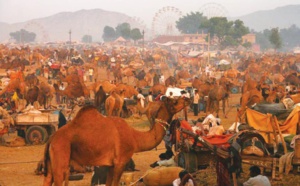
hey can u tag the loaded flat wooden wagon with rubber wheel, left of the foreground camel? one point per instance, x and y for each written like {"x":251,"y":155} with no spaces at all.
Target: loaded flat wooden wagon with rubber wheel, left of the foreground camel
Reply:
{"x":36,"y":127}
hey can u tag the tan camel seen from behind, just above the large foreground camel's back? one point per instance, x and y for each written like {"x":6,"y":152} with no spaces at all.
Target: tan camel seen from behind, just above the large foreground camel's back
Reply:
{"x":114,"y":103}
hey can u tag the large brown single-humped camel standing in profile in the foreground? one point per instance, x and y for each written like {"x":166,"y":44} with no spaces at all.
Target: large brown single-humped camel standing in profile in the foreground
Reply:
{"x":103,"y":141}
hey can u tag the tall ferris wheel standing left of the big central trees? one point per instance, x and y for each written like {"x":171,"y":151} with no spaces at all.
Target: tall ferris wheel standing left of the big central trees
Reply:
{"x":164,"y":21}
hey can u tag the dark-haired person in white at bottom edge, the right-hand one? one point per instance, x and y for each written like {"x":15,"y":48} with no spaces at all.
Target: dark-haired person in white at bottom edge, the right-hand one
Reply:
{"x":256,"y":179}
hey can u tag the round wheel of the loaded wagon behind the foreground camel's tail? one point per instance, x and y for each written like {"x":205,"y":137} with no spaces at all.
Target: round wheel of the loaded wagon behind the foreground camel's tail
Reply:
{"x":36,"y":135}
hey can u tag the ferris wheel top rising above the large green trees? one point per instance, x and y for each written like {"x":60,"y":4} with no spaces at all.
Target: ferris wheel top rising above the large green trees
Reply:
{"x":210,"y":10}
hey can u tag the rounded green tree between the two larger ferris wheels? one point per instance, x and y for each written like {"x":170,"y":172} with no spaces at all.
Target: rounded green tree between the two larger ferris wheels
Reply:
{"x":190,"y":23}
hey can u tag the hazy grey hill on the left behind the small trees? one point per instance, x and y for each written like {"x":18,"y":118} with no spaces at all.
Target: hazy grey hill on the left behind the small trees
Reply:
{"x":57,"y":27}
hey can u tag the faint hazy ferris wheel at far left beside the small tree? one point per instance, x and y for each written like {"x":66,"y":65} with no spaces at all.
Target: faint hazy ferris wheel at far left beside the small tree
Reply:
{"x":38,"y":29}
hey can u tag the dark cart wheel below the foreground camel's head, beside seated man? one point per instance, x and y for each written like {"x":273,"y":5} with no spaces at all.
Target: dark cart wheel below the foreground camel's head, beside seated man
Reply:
{"x":188,"y":161}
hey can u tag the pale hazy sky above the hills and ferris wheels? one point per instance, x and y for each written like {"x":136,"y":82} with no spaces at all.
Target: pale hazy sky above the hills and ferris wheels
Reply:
{"x":13,"y":11}
